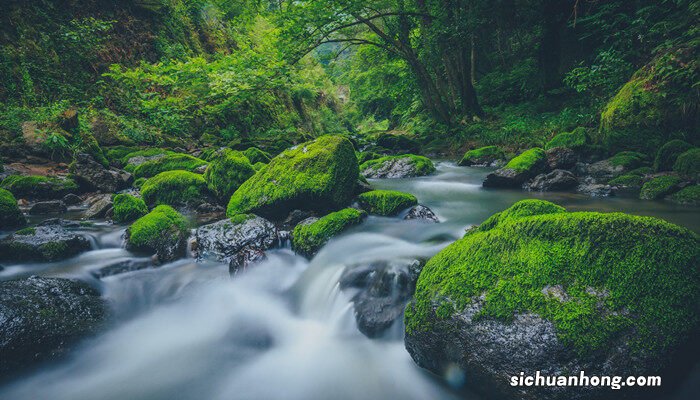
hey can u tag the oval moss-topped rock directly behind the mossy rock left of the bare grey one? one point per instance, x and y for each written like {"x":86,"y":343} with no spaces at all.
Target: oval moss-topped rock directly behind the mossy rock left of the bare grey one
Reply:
{"x":175,"y":188}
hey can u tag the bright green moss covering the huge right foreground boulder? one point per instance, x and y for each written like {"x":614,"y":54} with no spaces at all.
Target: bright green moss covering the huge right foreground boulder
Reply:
{"x":624,"y":276}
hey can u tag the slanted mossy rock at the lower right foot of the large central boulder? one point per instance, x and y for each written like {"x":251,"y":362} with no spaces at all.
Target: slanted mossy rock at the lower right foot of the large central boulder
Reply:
{"x":307,"y":239}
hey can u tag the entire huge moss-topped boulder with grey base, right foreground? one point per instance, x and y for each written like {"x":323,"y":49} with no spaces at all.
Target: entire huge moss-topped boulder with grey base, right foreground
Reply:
{"x":537,"y":288}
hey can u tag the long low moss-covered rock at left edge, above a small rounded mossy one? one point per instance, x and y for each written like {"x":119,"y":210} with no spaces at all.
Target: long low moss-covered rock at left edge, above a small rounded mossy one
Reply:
{"x":38,"y":187}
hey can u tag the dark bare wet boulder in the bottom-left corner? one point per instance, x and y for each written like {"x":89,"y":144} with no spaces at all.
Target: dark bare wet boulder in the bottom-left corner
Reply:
{"x":43,"y":318}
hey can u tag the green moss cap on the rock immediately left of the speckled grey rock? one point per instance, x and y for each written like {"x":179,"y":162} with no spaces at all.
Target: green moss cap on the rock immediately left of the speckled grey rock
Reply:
{"x":149,"y":231}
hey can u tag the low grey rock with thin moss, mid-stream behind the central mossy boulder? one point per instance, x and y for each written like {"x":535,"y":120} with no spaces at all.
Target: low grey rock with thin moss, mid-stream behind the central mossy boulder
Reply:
{"x":405,"y":166}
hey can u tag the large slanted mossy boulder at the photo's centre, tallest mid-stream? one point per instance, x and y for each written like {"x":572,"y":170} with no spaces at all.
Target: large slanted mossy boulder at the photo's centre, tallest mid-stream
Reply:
{"x":317,"y":175}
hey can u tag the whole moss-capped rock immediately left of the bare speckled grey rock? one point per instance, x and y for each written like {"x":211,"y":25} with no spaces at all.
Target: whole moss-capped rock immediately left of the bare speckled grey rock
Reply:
{"x":163,"y":231}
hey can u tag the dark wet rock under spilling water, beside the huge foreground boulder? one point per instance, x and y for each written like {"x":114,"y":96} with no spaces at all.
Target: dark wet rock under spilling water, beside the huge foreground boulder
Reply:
{"x":383,"y":289}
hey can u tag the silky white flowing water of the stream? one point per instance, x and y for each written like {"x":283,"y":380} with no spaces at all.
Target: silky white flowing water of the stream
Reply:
{"x":281,"y":330}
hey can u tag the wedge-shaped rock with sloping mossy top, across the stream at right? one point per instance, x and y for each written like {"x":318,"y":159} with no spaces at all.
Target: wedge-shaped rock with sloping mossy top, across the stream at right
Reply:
{"x":518,"y":170}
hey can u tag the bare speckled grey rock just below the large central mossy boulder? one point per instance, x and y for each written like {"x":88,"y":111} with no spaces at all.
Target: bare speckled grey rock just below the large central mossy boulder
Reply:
{"x":239,"y":240}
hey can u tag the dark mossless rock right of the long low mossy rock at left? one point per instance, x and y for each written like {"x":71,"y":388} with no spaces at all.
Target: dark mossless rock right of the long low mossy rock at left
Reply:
{"x":93,"y":176}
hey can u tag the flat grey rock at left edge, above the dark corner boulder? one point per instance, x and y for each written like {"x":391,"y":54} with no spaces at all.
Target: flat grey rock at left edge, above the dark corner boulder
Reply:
{"x":49,"y":241}
